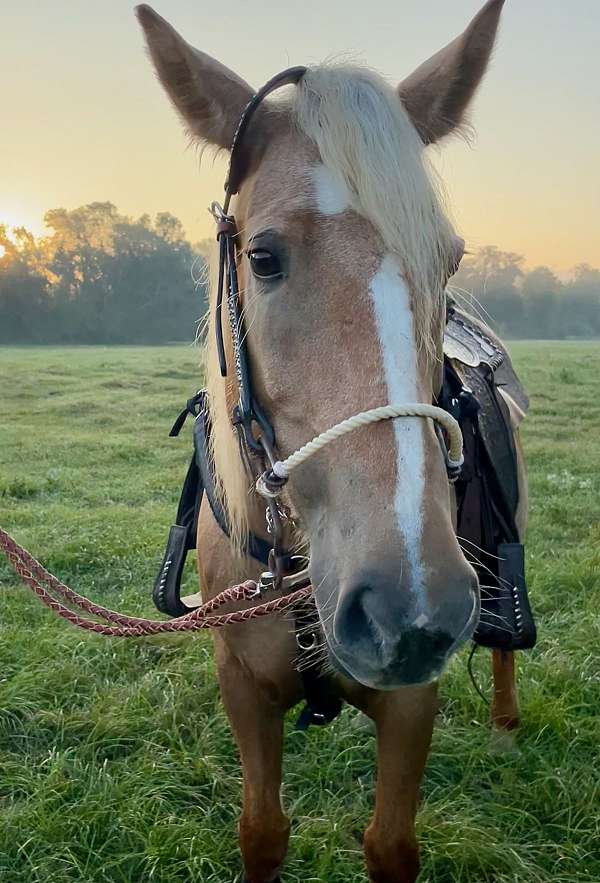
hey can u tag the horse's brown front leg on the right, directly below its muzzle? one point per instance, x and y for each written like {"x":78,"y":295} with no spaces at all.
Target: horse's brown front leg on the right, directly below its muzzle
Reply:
{"x":404,"y":722}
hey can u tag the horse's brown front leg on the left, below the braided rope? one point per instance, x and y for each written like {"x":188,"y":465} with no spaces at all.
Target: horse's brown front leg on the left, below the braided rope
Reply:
{"x":257,"y":725}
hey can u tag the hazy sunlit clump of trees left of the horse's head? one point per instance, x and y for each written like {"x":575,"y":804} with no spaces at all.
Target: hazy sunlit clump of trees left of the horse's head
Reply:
{"x":100,"y":277}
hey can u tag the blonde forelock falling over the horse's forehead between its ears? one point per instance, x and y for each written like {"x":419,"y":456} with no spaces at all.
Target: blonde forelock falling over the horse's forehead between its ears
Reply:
{"x":366,"y":138}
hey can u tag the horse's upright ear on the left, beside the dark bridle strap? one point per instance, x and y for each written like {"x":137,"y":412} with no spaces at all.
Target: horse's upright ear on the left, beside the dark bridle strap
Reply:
{"x":208,"y":96}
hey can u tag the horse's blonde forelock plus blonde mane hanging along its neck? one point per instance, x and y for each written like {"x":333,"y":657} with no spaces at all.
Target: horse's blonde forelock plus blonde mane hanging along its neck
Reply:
{"x":364,"y":137}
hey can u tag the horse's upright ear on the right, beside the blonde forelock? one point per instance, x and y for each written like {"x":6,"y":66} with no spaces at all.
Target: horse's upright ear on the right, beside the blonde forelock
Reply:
{"x":437,"y":94}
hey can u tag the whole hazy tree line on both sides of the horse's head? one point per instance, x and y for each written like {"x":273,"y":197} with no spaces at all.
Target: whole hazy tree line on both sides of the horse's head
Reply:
{"x":100,"y":277}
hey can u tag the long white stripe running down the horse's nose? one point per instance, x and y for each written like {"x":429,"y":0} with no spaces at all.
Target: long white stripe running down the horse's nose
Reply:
{"x":391,"y":306}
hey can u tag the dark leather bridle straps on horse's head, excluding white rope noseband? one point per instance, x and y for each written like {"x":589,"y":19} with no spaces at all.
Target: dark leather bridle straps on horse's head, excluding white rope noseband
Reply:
{"x":255,"y":432}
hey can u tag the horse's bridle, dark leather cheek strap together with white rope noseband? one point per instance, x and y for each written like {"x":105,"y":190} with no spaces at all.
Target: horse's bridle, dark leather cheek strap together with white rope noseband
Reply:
{"x":255,"y":432}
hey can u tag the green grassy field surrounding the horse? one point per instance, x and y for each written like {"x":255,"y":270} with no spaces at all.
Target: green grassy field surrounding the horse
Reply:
{"x":116,"y":763}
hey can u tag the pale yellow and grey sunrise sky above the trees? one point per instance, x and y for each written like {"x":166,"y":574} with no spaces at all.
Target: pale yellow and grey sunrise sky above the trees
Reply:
{"x":85,"y":120}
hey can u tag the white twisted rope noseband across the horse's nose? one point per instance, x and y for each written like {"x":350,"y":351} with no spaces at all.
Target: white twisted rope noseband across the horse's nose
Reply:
{"x":281,"y":468}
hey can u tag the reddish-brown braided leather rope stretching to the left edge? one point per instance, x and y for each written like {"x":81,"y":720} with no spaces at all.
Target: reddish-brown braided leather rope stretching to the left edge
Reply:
{"x":33,"y":575}
